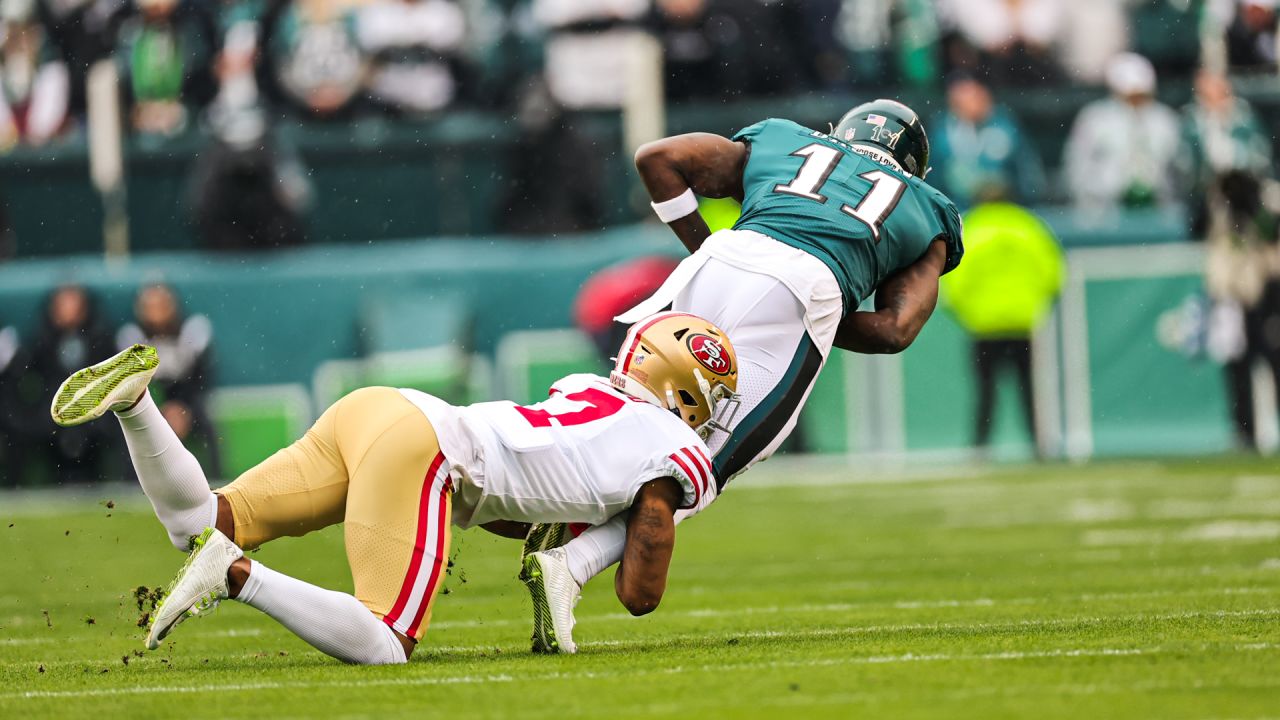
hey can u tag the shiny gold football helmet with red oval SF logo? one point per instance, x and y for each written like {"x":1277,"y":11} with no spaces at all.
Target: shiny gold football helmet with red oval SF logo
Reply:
{"x":684,"y":364}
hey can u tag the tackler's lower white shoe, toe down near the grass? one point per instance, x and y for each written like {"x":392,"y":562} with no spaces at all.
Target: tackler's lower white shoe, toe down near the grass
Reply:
{"x":200,"y":586}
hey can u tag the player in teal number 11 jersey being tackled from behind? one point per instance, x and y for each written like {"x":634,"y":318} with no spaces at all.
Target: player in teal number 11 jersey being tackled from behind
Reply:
{"x":829,"y":220}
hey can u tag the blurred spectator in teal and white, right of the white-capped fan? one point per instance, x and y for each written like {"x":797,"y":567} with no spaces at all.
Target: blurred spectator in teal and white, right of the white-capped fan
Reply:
{"x":1222,"y":135}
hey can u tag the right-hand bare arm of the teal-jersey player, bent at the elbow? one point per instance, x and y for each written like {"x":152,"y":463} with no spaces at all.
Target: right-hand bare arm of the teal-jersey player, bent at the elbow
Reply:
{"x":904,"y":303}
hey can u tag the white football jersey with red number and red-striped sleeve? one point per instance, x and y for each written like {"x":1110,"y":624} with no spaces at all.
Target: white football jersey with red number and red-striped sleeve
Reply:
{"x":579,"y":457}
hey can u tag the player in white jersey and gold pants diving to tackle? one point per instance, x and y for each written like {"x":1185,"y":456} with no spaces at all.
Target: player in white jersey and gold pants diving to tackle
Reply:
{"x":394,"y":466}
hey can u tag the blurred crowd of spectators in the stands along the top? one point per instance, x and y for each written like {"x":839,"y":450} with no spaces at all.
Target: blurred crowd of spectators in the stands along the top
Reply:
{"x":231,"y":71}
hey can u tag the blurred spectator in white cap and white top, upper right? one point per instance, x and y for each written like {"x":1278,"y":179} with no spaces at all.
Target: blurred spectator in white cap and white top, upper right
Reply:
{"x":1123,"y":151}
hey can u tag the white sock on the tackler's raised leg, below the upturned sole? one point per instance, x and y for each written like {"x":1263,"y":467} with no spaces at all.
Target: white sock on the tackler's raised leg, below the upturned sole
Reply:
{"x":170,"y":475}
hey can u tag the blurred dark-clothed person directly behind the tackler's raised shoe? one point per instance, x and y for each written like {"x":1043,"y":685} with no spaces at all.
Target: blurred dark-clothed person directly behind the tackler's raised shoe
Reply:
{"x":71,"y":339}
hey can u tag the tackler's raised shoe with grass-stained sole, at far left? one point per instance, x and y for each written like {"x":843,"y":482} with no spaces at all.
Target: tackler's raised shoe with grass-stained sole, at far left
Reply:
{"x":115,"y":384}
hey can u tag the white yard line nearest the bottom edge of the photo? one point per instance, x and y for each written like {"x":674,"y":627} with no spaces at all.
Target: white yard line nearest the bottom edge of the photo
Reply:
{"x":630,"y":673}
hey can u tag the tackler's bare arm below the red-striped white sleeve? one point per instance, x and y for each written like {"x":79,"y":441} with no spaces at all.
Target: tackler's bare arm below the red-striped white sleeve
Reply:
{"x":642,"y":577}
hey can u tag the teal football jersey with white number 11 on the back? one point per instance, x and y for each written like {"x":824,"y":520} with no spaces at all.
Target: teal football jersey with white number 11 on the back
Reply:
{"x":842,"y":203}
